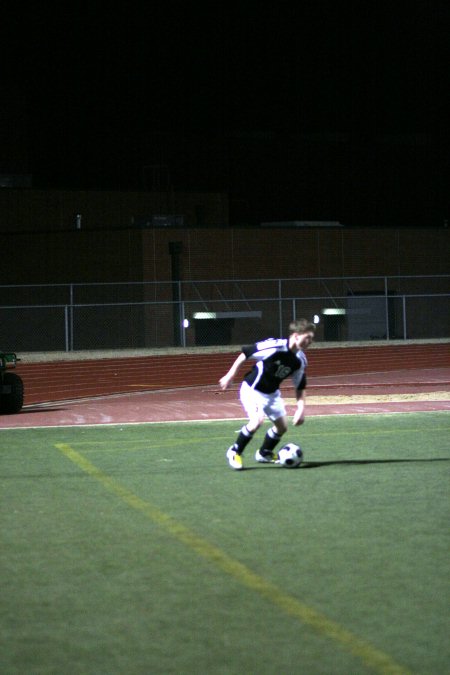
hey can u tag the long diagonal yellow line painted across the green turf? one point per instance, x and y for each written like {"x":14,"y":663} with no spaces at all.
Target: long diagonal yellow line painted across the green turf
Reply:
{"x":372,"y":657}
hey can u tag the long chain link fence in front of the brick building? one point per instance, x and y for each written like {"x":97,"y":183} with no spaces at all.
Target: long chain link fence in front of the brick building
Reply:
{"x":69,"y":317}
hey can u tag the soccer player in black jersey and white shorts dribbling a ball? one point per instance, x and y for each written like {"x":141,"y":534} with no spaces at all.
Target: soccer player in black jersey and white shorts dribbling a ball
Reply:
{"x":276,"y":359}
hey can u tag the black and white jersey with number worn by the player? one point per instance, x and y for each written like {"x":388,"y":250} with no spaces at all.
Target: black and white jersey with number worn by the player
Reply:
{"x":274,"y":363}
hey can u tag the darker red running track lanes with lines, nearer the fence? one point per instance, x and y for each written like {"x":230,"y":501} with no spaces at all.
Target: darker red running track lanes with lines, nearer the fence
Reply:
{"x":86,"y":377}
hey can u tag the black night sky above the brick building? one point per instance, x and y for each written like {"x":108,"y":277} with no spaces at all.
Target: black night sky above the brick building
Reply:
{"x":308,"y":109}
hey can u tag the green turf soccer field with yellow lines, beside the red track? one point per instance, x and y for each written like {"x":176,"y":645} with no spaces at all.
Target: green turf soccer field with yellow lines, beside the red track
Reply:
{"x":136,"y":550}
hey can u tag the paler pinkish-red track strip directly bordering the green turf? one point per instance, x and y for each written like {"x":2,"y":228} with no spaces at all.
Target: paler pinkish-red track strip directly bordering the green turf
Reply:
{"x":408,"y":390}
